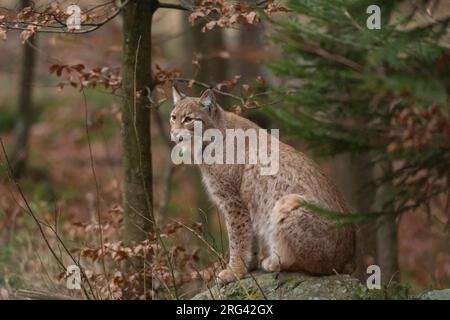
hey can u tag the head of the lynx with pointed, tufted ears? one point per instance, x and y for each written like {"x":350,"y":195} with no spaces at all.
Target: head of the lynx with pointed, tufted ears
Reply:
{"x":188,"y":110}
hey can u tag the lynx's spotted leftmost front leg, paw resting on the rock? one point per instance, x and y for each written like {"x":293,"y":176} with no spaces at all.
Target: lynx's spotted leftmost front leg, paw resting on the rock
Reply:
{"x":240,"y":235}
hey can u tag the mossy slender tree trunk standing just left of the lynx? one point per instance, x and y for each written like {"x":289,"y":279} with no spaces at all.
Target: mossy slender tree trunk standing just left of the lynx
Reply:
{"x":137,"y":161}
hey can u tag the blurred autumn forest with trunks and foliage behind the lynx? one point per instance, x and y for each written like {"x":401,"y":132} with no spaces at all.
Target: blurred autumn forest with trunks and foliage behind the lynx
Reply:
{"x":371,"y":106}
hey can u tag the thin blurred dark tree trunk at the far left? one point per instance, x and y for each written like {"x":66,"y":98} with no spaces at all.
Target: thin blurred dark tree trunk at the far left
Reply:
{"x":25,"y":109}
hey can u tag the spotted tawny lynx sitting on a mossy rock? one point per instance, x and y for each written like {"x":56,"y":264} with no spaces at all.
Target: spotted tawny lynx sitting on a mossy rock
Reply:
{"x":266,"y":211}
